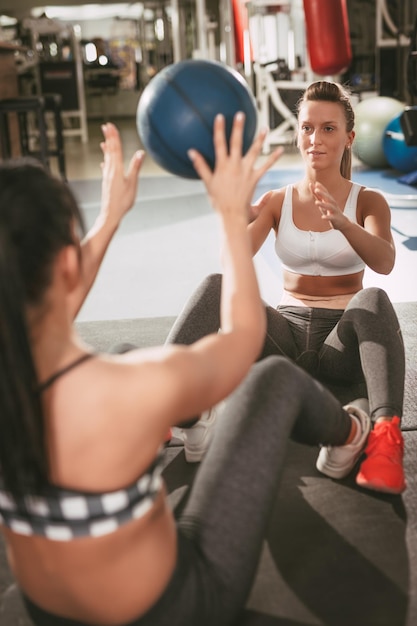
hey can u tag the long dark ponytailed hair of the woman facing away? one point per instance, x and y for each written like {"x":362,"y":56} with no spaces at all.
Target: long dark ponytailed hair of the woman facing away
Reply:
{"x":38,"y":217}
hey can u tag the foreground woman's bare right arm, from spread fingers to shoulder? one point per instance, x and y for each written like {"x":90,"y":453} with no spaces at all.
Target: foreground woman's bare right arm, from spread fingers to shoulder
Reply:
{"x":198,"y":376}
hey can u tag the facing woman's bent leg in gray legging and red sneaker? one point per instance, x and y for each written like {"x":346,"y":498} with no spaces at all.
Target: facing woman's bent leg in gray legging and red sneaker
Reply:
{"x":368,"y":339}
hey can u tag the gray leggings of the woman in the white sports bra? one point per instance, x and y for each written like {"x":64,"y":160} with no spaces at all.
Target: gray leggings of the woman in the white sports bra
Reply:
{"x":356,"y":352}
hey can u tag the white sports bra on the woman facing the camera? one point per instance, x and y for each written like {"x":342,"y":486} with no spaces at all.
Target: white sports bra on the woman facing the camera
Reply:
{"x":313,"y":253}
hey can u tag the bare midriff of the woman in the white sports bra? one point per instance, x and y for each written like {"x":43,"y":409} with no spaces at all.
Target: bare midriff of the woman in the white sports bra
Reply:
{"x":329,"y":292}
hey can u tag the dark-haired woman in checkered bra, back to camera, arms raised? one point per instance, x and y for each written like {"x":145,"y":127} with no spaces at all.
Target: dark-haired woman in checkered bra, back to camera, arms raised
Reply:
{"x":91,"y":538}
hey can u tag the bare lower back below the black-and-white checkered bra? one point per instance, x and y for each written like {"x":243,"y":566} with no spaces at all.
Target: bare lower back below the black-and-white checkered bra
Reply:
{"x":109,"y":580}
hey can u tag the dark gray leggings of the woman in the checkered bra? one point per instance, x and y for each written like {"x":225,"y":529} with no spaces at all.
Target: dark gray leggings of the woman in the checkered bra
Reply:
{"x":221,"y":530}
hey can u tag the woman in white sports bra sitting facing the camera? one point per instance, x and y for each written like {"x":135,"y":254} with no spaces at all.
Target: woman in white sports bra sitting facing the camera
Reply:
{"x":328,"y":229}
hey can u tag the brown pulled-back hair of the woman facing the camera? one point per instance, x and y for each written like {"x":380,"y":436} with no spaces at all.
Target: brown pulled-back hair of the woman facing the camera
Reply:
{"x":326,"y":91}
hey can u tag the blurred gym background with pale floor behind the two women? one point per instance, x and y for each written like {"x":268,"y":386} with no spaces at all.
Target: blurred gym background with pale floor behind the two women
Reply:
{"x":67,"y":68}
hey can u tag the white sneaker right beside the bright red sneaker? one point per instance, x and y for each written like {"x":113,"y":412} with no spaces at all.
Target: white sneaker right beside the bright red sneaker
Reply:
{"x":338,"y":461}
